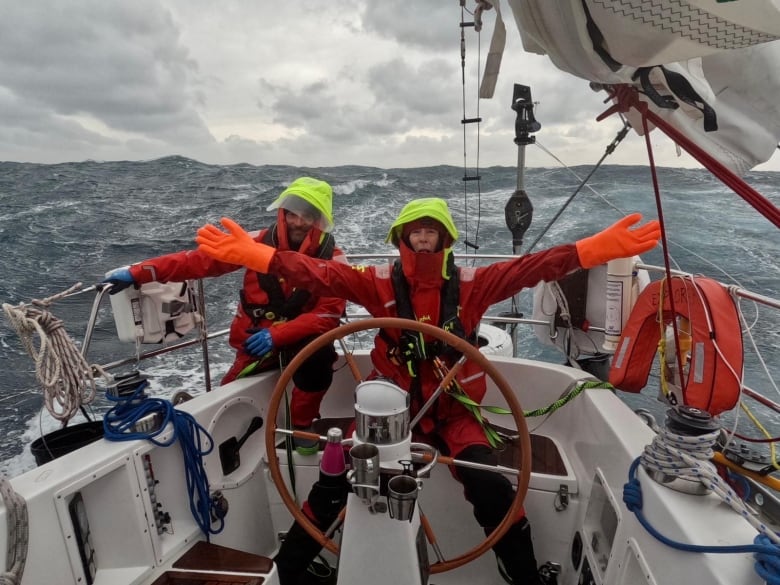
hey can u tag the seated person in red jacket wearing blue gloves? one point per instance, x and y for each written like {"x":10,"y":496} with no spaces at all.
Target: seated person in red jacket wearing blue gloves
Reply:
{"x":273,"y":316}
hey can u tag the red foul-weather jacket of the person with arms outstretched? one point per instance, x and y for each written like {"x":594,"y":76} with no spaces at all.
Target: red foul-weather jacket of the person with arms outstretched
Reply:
{"x":372,"y":287}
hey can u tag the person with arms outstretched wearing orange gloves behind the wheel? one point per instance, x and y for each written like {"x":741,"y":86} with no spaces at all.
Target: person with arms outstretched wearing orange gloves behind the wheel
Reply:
{"x":424,"y":284}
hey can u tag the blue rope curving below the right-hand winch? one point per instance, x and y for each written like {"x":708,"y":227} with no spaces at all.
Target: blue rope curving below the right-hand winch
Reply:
{"x":767,"y":553}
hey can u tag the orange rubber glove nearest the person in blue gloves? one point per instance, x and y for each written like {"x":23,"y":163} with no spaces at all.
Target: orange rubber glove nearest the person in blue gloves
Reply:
{"x":235,"y":247}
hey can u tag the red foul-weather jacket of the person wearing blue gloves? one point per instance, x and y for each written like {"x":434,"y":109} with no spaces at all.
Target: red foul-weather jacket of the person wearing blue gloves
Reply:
{"x":319,"y":314}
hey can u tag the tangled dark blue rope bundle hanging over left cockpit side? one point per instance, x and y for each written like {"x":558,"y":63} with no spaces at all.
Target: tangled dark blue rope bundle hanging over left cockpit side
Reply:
{"x":118,"y":424}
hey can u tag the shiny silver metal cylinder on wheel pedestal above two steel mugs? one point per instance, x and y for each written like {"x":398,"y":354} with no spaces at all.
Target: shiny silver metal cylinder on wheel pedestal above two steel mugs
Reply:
{"x":381,"y":413}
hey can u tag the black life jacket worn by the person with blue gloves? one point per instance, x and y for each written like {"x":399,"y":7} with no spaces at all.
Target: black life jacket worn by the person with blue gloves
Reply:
{"x":279,"y":307}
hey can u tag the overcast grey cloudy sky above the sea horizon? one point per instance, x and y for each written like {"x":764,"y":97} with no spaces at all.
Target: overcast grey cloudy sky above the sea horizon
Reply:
{"x":307,"y":82}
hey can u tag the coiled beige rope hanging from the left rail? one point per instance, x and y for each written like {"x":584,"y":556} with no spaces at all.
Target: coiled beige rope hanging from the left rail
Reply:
{"x":65,"y":376}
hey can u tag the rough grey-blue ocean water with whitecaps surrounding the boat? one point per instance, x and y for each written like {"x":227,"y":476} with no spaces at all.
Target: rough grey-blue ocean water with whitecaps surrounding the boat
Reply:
{"x":68,"y":223}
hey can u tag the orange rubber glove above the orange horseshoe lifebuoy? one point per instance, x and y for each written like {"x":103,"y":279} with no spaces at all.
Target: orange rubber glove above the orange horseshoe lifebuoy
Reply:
{"x":617,"y":241}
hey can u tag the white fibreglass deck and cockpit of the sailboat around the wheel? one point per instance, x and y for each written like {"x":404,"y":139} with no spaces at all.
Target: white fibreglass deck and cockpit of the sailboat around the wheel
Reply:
{"x":596,"y":436}
